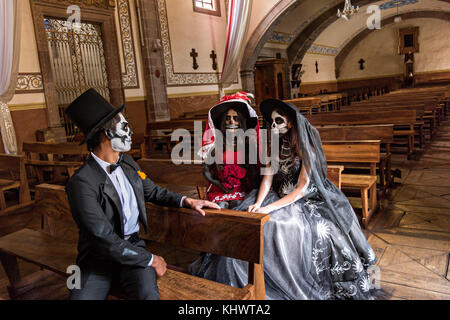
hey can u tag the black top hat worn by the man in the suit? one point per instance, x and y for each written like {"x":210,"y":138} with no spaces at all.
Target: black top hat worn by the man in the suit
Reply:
{"x":90,"y":112}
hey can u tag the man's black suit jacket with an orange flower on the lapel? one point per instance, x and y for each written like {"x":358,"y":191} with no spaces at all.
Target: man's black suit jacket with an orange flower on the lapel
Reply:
{"x":96,"y":208}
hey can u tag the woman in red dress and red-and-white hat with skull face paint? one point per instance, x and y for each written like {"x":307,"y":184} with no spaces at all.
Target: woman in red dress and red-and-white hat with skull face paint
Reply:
{"x":227,"y":165}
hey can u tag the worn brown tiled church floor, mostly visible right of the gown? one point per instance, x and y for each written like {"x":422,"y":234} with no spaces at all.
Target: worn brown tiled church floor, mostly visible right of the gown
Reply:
{"x":410,"y":234}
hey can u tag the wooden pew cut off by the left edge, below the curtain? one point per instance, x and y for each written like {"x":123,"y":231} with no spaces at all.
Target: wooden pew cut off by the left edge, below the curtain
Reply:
{"x":14,"y":176}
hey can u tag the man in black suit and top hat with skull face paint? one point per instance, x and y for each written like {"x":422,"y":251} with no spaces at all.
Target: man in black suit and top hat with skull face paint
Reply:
{"x":107,"y":198}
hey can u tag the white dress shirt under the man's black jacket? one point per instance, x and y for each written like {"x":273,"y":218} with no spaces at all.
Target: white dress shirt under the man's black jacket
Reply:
{"x":127,"y":197}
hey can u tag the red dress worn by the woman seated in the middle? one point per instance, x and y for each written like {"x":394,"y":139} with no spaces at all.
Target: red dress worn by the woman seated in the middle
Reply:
{"x":232,"y":176}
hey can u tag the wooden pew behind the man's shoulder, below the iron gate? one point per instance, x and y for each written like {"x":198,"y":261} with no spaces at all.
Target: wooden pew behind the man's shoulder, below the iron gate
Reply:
{"x":63,"y":157}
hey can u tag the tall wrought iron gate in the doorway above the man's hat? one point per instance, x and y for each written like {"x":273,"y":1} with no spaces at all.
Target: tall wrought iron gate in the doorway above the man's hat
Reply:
{"x":78,"y":63}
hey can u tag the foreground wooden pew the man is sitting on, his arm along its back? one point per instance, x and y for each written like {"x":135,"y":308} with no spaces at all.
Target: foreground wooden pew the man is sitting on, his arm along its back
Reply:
{"x":235,"y":235}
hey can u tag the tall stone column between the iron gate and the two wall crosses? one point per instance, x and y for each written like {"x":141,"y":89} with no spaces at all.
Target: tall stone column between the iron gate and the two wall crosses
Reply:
{"x":153,"y":61}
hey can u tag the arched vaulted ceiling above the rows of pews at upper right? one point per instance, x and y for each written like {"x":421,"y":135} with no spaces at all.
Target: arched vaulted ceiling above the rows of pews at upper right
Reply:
{"x":313,"y":25}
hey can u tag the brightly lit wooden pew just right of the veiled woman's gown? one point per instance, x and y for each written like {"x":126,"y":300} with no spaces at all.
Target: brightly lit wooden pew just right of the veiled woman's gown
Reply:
{"x":367,"y":152}
